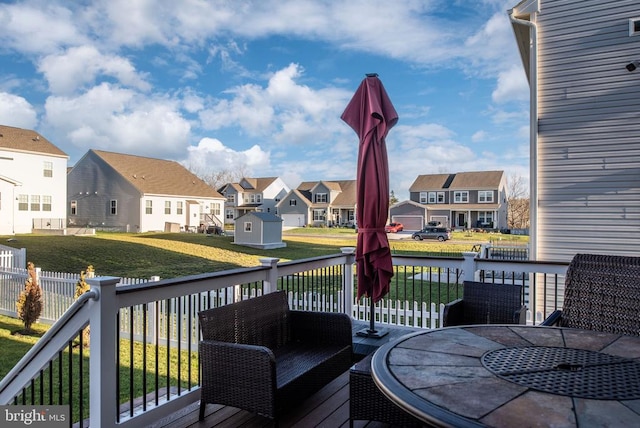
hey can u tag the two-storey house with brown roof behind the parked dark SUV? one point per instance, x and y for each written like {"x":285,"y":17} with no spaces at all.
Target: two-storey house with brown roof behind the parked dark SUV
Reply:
{"x":461,"y":200}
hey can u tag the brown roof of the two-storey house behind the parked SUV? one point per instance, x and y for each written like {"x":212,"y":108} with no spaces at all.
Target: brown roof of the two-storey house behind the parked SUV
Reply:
{"x":460,"y":180}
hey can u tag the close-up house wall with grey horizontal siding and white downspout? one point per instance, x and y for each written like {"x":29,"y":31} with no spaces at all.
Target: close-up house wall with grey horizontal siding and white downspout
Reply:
{"x":579,"y":58}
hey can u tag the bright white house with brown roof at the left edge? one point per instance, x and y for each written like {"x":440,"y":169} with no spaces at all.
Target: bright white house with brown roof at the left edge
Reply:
{"x":33,"y":182}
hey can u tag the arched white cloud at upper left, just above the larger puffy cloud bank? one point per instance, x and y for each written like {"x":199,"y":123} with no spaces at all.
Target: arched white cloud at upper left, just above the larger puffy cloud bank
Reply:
{"x":80,"y":66}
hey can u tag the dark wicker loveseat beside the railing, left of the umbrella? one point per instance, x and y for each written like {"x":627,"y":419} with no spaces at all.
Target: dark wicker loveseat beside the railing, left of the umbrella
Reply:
{"x":260,"y":356}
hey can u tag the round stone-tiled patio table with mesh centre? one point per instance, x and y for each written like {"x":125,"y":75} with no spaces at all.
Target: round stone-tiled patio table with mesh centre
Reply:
{"x":506,"y":376}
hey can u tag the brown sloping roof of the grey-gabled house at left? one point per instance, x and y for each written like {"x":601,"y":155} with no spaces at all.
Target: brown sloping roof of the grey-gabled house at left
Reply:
{"x":157,"y":176}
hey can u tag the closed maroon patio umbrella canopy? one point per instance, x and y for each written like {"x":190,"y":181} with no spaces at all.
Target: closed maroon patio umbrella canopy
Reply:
{"x":371,"y":114}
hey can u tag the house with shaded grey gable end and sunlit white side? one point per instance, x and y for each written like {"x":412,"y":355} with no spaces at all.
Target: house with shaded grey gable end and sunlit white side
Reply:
{"x":129,"y":193}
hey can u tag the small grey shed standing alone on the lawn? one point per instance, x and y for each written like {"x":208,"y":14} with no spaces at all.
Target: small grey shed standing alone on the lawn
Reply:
{"x":259,"y":230}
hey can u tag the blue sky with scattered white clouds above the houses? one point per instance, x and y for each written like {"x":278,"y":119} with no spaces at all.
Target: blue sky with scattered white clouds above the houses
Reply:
{"x":262,"y":84}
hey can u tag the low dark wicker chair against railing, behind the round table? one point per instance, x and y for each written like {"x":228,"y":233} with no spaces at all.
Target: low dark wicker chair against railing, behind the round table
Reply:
{"x":485,"y":303}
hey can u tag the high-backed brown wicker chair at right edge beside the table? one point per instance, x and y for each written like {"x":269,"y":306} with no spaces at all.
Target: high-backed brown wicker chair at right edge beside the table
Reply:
{"x":602,"y":293}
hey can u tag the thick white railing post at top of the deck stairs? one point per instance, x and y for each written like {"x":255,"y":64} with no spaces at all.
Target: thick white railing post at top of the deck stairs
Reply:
{"x":103,"y":403}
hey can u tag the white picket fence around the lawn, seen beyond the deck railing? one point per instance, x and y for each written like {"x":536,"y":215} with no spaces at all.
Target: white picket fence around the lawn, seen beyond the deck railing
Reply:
{"x":158,"y":322}
